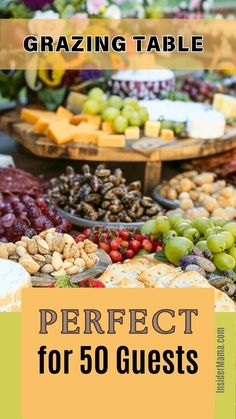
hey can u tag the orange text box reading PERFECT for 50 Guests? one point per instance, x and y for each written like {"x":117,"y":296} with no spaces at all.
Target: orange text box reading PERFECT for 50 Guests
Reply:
{"x":114,"y":393}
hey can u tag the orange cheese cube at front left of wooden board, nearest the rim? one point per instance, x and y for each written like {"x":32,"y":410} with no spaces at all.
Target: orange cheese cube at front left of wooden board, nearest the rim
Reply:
{"x":61,"y":132}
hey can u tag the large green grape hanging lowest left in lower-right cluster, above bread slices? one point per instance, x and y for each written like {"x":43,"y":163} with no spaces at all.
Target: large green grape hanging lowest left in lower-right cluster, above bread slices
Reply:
{"x":177,"y":247}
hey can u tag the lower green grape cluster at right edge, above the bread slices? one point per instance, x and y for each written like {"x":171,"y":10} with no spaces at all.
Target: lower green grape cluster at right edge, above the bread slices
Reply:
{"x":213,"y":235}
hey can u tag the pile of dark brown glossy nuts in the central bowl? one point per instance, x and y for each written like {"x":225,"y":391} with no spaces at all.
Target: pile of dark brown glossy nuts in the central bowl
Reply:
{"x":102,"y":196}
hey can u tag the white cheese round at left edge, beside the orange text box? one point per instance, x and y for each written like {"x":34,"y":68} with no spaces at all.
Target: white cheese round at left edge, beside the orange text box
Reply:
{"x":13,"y":278}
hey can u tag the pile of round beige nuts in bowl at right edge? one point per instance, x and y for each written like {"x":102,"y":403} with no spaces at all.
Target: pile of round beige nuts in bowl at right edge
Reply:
{"x":201,"y":195}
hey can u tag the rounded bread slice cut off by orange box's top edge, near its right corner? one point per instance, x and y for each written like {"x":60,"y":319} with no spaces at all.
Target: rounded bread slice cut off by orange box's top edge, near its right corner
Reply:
{"x":190,"y":279}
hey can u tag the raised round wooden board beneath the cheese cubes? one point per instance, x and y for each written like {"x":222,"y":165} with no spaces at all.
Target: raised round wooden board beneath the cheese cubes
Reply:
{"x":23,"y":133}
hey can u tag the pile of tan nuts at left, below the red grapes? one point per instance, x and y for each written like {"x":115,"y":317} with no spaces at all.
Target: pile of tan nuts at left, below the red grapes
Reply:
{"x":51,"y":253}
